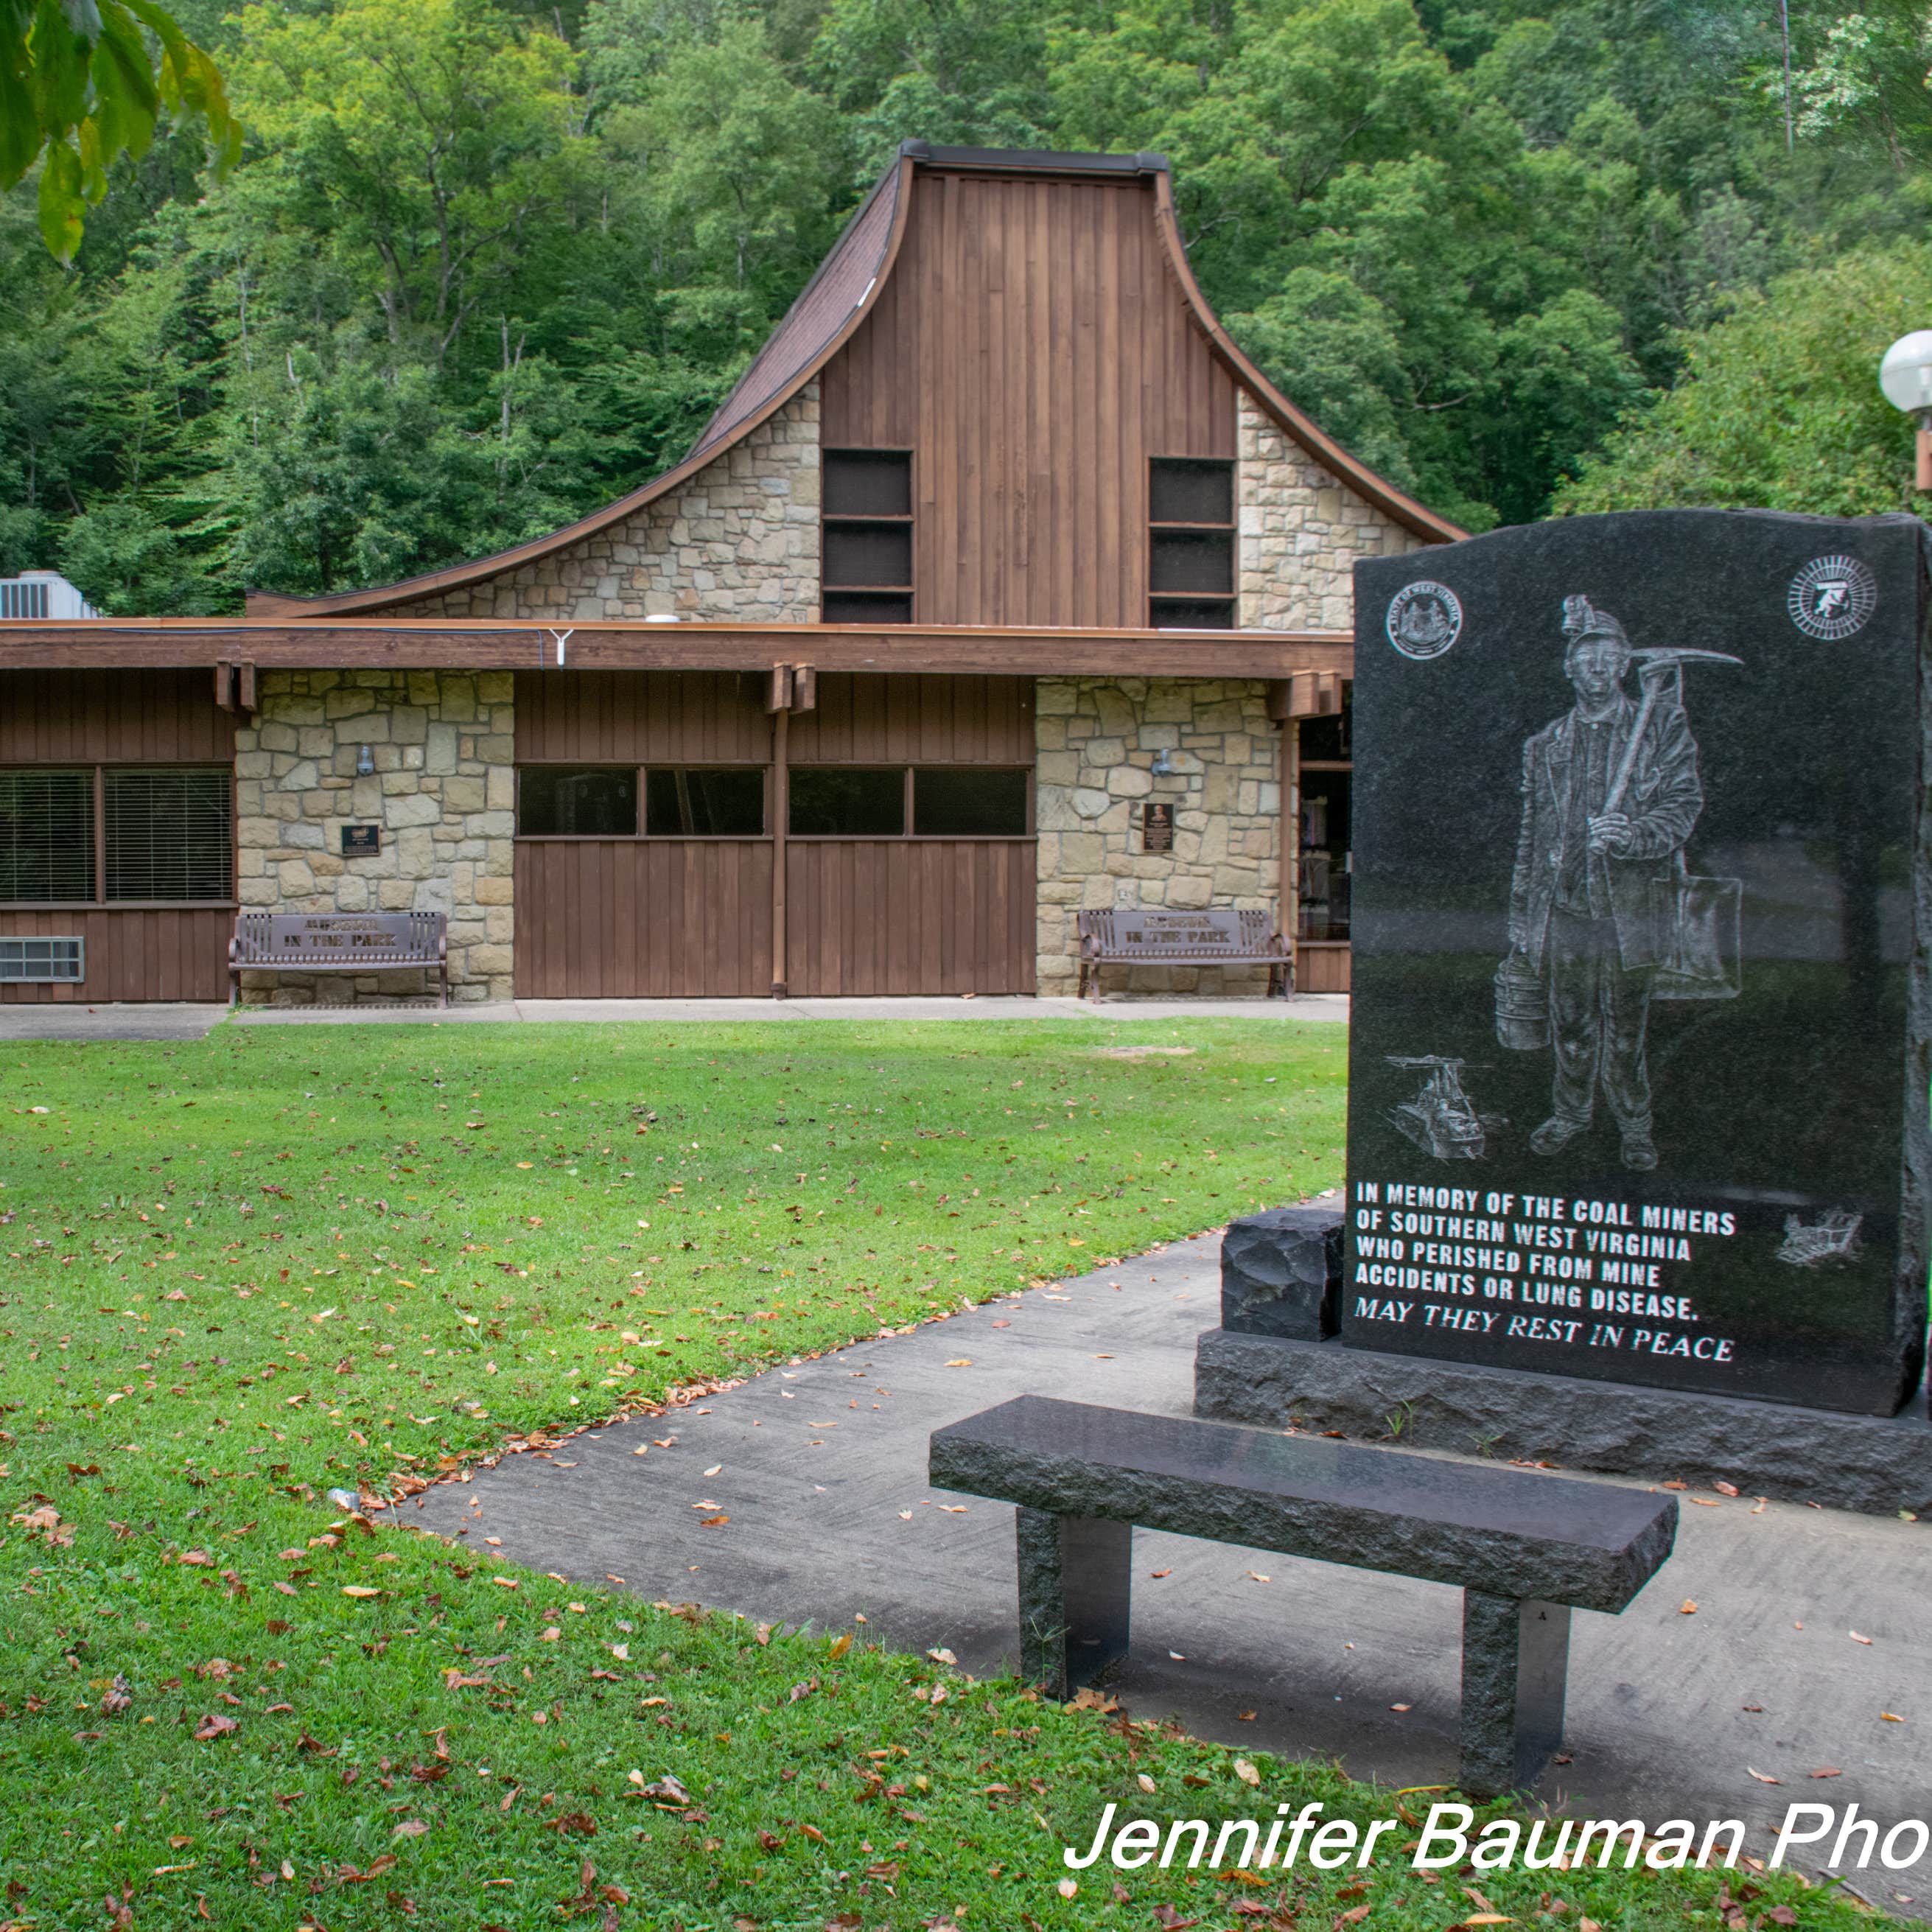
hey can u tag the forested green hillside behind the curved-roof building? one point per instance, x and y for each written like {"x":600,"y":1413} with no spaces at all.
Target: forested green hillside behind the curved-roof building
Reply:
{"x":488,"y":266}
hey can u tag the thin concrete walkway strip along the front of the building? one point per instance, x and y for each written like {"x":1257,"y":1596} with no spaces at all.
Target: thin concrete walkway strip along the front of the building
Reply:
{"x":725,"y":1011}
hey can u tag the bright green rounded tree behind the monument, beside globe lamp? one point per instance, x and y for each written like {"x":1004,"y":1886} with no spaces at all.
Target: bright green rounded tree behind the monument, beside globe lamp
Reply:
{"x":1778,"y":405}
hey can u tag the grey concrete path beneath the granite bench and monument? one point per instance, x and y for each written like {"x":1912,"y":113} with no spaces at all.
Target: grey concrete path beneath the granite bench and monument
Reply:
{"x":824,"y":1481}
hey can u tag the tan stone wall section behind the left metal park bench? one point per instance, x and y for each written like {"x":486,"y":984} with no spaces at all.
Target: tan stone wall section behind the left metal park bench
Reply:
{"x":443,"y":793}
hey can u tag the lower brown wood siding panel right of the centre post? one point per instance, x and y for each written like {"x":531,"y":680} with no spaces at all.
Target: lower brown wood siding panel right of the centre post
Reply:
{"x":888,"y":917}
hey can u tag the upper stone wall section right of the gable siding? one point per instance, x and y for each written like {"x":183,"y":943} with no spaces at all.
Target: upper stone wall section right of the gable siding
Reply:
{"x":1299,"y":534}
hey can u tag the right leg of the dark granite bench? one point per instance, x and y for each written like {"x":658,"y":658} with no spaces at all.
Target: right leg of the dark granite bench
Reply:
{"x":1516,"y":1657}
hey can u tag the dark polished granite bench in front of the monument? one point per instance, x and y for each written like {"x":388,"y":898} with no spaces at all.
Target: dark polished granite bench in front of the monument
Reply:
{"x":1523,"y":1548}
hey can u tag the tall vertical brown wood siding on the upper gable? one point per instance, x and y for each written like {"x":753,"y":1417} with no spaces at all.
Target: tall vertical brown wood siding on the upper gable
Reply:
{"x":1033,"y":353}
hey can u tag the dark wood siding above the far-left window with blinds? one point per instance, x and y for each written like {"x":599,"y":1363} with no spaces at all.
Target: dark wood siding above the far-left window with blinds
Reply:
{"x":113,"y":718}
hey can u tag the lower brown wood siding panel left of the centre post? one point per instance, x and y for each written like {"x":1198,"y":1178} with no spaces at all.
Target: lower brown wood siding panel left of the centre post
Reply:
{"x":642,"y":919}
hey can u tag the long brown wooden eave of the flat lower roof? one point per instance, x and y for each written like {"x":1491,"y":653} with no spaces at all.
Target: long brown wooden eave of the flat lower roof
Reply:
{"x":432,"y":644}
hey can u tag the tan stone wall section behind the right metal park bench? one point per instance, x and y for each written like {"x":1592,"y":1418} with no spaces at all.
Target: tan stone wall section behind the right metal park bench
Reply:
{"x":1096,"y":745}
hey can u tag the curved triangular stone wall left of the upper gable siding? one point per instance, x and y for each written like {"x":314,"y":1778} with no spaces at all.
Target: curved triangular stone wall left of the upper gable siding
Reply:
{"x":737,"y":544}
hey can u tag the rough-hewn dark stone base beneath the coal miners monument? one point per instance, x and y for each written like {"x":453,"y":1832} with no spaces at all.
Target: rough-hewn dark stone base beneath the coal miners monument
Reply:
{"x":1811,"y":1456}
